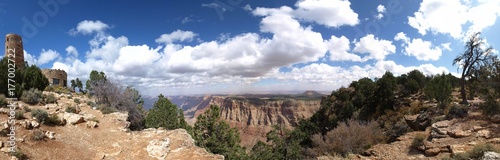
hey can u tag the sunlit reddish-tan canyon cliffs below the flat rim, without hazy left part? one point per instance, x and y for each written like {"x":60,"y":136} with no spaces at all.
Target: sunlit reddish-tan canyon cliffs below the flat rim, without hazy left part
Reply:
{"x":254,"y":117}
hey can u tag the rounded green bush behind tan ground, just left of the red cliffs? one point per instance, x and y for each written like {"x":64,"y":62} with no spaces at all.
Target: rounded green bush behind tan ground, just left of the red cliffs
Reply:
{"x":165,"y":114}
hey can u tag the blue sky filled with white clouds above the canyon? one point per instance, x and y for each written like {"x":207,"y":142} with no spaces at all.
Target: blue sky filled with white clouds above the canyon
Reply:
{"x":240,"y":46}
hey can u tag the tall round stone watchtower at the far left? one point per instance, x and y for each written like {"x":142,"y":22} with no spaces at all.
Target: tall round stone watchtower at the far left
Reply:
{"x":14,"y":45}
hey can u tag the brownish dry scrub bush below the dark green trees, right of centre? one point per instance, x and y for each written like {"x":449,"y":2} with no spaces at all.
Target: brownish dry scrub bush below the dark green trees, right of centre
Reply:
{"x":350,"y":137}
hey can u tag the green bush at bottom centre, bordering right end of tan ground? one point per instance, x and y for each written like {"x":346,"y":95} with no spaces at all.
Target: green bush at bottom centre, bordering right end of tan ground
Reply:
{"x":216,"y":136}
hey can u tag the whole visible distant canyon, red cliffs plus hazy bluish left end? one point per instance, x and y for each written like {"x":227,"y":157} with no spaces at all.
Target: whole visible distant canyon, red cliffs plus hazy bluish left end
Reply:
{"x":252,"y":114}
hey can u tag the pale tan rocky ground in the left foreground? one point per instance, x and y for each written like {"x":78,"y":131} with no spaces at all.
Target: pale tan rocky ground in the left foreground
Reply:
{"x":94,"y":136}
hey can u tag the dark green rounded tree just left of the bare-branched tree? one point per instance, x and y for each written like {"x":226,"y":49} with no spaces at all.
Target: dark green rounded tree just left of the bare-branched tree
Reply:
{"x":439,"y":88}
